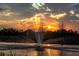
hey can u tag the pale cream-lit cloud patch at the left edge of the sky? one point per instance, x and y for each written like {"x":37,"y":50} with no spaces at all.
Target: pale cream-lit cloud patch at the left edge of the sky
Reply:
{"x":8,"y":15}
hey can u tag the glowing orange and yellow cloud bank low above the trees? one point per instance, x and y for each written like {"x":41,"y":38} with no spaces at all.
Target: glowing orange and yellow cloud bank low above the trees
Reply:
{"x":49,"y":23}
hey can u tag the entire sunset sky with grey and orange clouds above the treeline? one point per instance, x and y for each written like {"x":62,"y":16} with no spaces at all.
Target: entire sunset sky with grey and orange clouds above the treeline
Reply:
{"x":28,"y":16}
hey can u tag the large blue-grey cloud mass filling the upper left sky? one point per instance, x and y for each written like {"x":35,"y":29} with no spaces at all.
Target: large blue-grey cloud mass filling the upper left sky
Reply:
{"x":20,"y":10}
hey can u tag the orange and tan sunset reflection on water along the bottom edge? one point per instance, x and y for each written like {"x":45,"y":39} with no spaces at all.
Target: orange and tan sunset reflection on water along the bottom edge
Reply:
{"x":30,"y":52}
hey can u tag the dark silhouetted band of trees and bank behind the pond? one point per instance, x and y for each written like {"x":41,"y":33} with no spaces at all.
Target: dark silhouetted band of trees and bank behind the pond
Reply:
{"x":69,"y":37}
